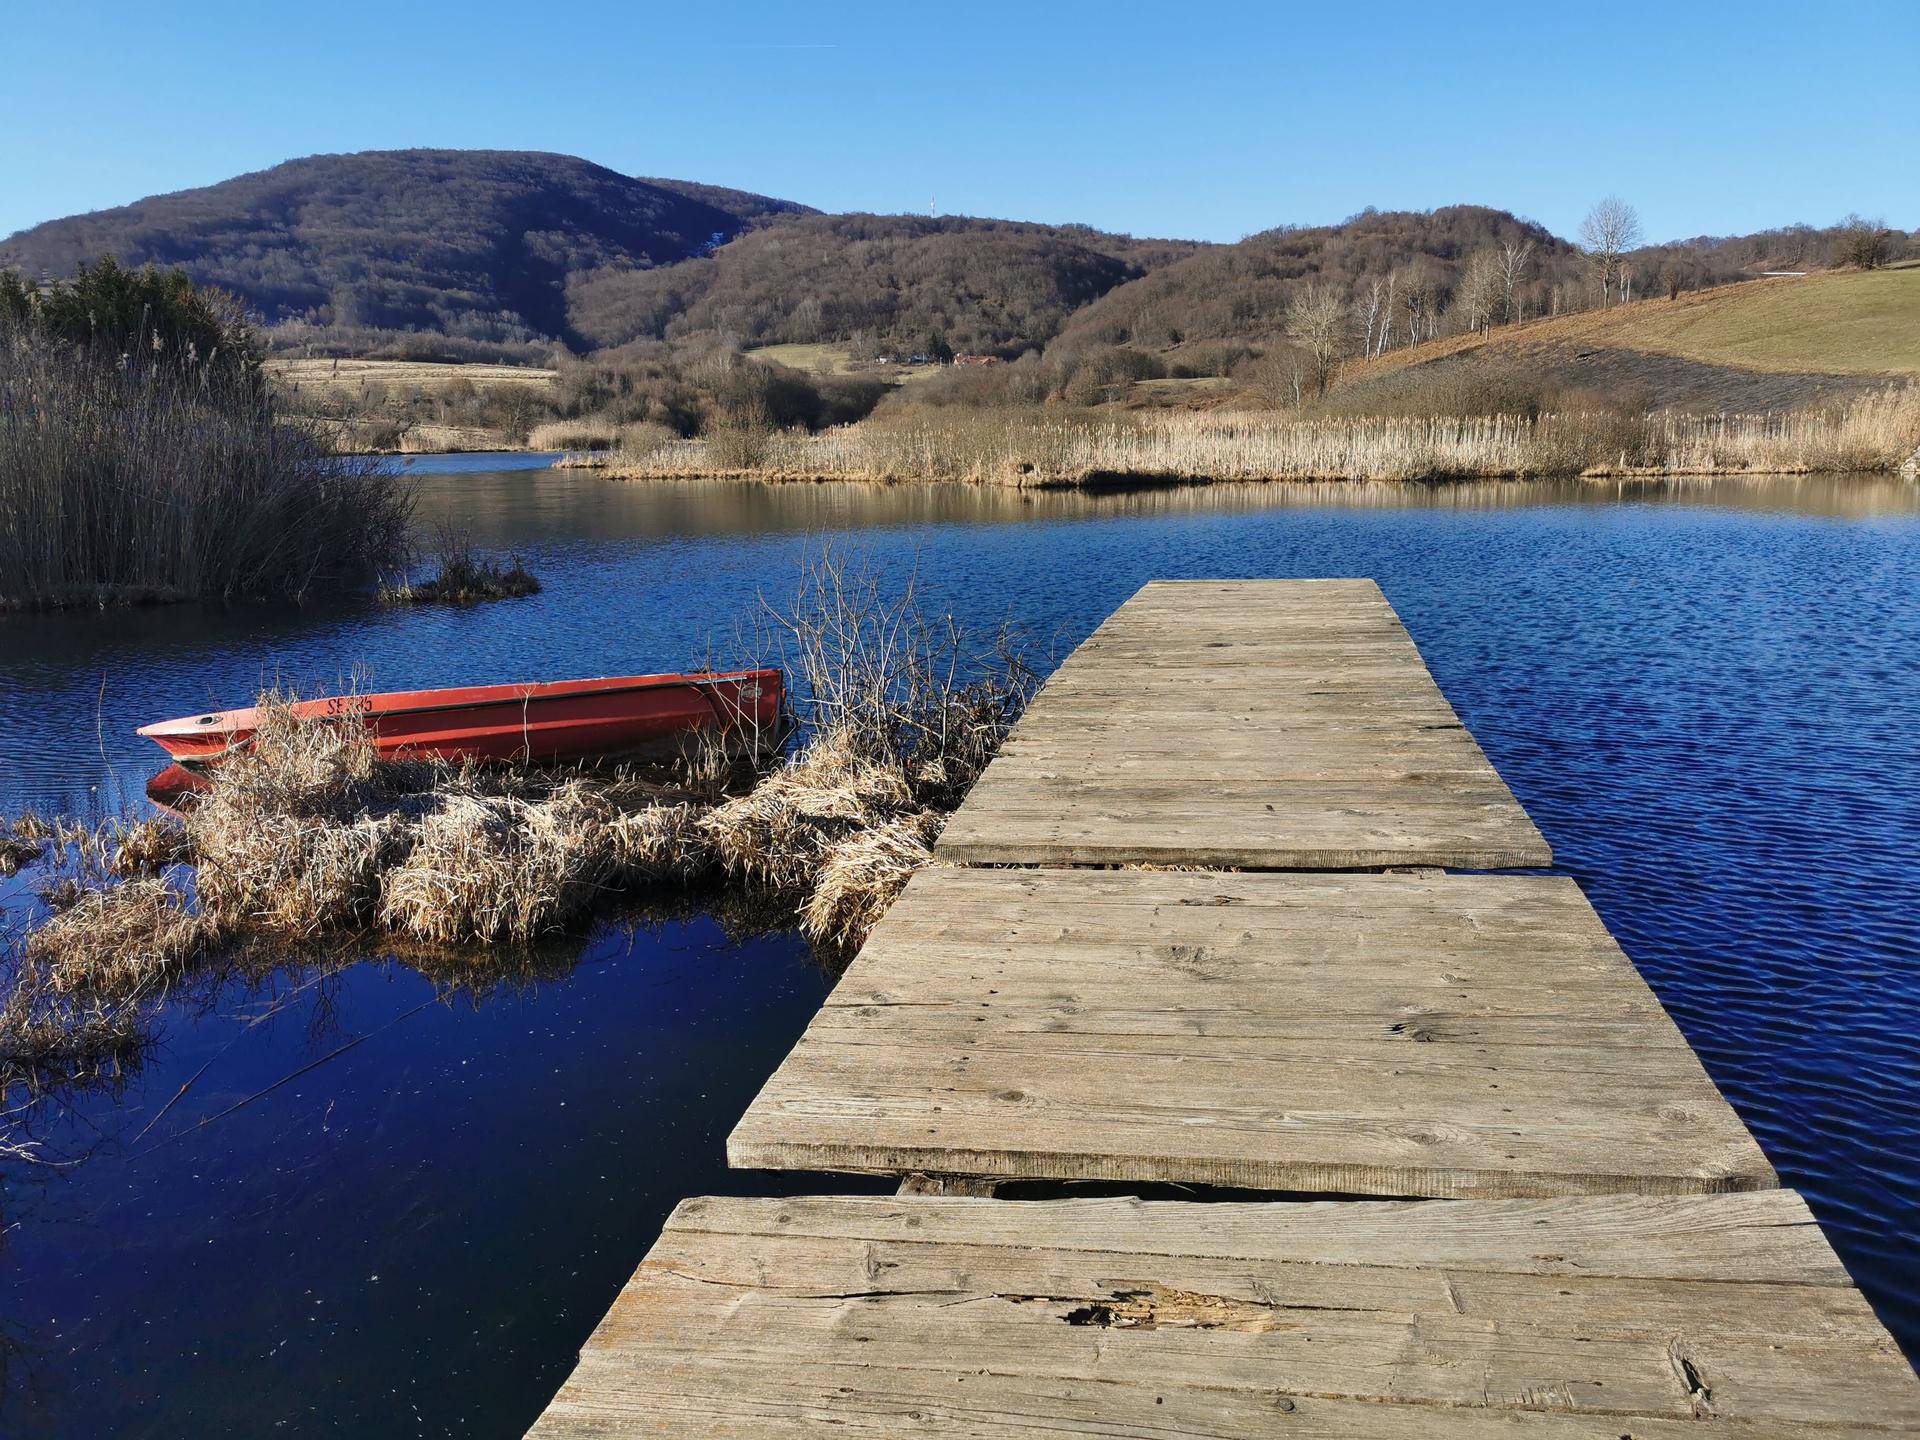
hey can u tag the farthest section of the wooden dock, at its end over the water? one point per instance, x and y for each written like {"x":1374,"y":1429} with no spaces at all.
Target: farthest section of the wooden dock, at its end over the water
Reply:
{"x":1266,"y":725}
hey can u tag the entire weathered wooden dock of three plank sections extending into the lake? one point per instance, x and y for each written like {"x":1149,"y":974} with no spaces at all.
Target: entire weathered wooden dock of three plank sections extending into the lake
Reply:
{"x":1141,"y":963}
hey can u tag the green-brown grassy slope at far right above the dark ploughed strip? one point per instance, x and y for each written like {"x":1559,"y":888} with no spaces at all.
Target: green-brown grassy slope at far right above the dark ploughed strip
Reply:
{"x":1858,"y":324}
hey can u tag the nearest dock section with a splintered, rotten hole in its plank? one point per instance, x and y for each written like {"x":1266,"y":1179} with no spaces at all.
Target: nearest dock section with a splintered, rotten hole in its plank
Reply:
{"x":1560,"y":1320}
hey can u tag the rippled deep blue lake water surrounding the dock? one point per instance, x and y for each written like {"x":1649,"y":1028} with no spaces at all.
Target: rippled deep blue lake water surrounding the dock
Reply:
{"x":366,"y":1205}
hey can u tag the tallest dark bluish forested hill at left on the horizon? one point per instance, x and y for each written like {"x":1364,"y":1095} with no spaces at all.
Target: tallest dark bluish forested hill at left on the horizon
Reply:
{"x":475,"y":245}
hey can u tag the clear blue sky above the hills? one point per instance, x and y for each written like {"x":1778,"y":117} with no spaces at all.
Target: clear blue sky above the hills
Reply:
{"x":1189,"y":120}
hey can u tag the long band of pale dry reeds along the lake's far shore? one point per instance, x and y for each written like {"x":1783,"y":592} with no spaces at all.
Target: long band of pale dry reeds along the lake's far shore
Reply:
{"x":1877,"y":431}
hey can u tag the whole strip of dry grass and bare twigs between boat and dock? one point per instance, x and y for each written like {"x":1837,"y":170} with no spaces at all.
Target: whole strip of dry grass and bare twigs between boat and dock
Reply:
{"x":308,"y":838}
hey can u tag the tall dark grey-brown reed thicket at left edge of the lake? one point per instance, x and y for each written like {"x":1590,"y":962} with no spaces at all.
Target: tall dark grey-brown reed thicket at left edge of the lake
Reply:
{"x":155,"y":483}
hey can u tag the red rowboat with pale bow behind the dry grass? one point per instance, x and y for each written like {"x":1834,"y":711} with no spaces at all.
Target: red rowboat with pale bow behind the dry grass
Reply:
{"x":554,"y":721}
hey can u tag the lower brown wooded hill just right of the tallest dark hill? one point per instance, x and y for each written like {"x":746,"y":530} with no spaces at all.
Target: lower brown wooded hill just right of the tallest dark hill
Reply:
{"x":900,"y":281}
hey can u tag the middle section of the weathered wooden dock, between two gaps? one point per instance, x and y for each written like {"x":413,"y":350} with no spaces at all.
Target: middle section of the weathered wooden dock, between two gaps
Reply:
{"x":1447,"y":1036}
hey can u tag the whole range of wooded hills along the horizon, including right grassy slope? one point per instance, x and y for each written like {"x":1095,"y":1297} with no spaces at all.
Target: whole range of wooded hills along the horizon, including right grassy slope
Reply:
{"x":492,"y":254}
